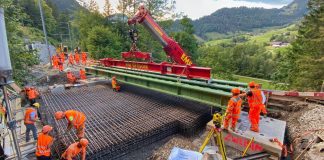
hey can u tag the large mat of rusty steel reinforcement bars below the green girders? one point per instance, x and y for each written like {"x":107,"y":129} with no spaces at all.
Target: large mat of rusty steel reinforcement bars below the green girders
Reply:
{"x":121,"y":122}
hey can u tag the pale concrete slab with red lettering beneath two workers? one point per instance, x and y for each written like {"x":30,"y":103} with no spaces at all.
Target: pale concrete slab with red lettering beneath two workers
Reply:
{"x":269,"y":128}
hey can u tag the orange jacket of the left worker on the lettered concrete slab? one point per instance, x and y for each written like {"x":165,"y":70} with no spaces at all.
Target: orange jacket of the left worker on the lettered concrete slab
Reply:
{"x":234,"y":106}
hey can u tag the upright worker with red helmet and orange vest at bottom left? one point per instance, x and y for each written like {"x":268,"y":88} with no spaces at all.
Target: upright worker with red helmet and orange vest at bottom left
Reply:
{"x":44,"y":143}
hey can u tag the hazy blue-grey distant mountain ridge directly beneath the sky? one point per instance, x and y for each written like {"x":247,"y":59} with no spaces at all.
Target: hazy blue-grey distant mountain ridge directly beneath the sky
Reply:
{"x":246,"y":19}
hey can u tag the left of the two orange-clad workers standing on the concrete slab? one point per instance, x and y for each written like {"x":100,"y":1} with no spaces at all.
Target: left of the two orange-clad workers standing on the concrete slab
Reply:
{"x":233,"y":109}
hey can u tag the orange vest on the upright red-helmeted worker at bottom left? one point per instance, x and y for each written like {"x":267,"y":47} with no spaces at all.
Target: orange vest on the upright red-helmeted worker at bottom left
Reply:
{"x":43,"y":142}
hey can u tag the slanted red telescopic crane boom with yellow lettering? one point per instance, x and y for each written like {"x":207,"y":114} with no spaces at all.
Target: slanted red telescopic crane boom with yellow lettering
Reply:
{"x":170,"y":46}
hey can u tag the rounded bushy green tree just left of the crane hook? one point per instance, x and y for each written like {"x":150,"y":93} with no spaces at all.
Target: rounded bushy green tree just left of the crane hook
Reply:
{"x":102,"y":43}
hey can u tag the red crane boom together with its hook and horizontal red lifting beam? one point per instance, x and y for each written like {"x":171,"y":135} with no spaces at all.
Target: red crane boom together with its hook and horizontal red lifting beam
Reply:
{"x":183,"y":65}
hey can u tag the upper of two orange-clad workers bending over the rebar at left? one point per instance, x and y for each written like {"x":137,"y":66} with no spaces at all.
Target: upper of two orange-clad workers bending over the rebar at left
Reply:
{"x":75,"y":119}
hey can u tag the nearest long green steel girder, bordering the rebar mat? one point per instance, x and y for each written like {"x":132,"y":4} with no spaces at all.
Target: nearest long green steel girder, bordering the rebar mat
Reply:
{"x":165,"y":84}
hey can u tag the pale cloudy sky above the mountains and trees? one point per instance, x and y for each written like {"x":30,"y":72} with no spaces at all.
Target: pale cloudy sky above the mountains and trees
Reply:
{"x":199,"y":8}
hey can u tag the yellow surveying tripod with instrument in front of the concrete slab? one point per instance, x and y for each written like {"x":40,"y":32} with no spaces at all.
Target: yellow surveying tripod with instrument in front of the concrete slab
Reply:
{"x":216,"y":133}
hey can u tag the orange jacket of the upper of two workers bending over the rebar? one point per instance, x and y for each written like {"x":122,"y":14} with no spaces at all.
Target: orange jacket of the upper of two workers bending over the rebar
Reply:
{"x":75,"y":117}
